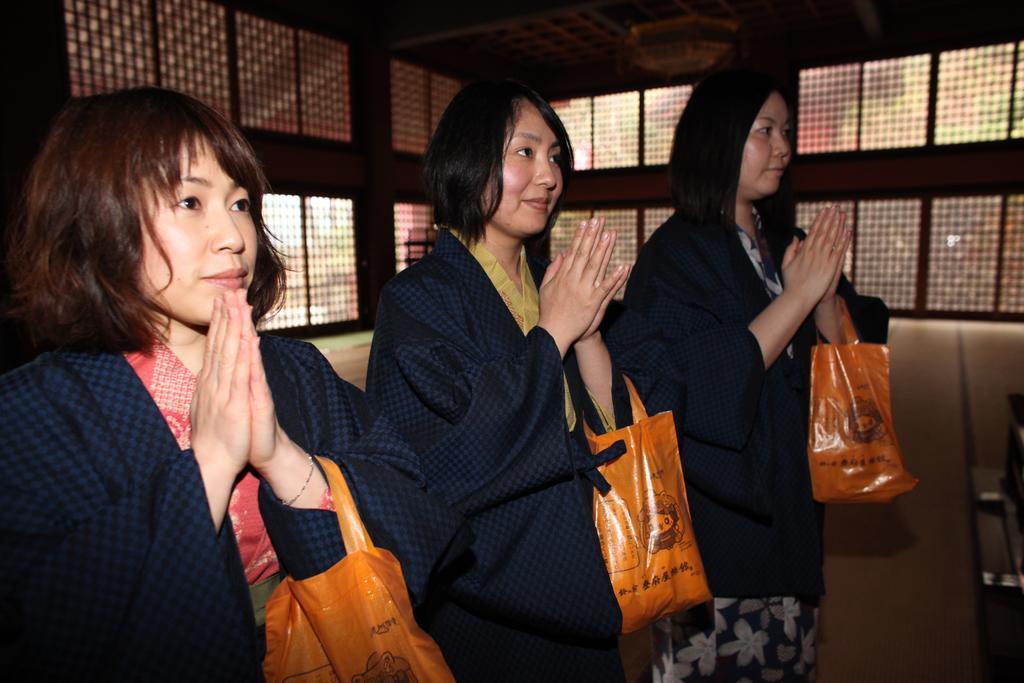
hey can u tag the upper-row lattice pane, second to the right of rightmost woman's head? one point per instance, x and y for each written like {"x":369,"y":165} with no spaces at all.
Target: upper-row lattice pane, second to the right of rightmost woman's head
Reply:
{"x":894,"y":106}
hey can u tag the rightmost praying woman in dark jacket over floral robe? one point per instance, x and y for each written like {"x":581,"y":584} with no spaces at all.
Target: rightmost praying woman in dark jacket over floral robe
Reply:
{"x":723,"y":307}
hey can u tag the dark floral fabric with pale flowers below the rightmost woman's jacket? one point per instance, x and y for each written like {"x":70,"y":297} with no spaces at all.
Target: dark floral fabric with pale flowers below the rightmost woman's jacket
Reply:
{"x":742,"y":641}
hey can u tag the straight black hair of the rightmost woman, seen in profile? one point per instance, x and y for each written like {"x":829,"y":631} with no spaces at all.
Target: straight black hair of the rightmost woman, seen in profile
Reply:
{"x":708,"y":151}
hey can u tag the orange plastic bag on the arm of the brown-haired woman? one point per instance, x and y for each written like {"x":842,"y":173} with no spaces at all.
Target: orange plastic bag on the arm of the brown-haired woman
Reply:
{"x":353,"y":623}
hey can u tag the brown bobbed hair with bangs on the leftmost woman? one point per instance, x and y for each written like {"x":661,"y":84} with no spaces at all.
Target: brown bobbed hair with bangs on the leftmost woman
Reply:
{"x":75,"y":249}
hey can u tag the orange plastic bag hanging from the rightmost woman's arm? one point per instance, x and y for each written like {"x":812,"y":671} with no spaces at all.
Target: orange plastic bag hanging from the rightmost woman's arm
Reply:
{"x":851,"y":446}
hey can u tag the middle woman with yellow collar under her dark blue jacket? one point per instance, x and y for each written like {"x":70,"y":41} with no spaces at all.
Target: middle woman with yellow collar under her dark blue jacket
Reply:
{"x":491,"y":378}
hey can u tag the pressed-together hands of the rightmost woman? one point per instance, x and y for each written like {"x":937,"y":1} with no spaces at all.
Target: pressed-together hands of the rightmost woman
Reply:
{"x":812,"y":269}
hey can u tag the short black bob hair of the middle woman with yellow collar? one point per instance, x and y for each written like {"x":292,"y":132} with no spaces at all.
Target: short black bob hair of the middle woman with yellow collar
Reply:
{"x":462,"y":170}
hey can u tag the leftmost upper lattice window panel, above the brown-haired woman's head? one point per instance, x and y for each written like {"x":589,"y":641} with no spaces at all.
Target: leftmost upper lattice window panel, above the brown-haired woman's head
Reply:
{"x":110,"y":46}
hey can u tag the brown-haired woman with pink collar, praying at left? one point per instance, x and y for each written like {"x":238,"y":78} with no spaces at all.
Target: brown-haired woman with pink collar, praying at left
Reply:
{"x":163,"y":417}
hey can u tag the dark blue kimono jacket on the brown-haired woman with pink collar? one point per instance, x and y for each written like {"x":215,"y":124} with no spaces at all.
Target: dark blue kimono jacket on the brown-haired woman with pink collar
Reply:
{"x":111,"y":568}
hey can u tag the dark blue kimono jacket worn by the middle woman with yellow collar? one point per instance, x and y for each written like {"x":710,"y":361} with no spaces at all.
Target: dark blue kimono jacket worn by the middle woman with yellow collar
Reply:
{"x":484,"y":407}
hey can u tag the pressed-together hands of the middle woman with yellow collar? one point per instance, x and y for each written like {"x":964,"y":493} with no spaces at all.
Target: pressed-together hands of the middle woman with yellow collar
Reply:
{"x":578,"y":285}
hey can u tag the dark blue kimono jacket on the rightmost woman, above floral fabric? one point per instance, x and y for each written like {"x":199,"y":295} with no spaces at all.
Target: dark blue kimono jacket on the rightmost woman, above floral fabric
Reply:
{"x":743,"y":430}
